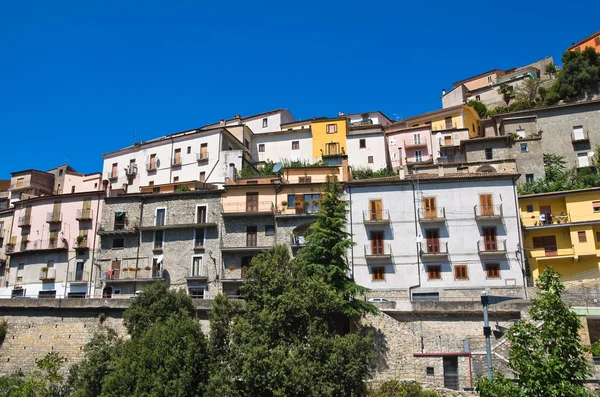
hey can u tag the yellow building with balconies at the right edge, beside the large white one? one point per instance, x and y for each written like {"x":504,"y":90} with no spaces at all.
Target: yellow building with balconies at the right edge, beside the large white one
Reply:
{"x":562,"y":230}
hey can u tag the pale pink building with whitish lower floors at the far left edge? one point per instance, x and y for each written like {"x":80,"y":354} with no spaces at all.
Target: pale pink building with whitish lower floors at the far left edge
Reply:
{"x":52,"y":245}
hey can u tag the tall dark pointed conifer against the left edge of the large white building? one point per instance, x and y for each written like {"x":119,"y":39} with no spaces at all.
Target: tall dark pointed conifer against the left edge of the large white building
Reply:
{"x":328,"y":243}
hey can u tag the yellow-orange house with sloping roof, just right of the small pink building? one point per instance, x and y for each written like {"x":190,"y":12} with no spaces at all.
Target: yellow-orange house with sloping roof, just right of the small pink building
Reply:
{"x":455,"y":117}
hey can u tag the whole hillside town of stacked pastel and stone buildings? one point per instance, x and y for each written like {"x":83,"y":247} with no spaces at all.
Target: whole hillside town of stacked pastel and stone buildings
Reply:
{"x":441,"y":206}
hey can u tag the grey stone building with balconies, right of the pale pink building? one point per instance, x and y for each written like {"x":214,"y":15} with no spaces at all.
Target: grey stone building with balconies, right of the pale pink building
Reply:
{"x":168,"y":235}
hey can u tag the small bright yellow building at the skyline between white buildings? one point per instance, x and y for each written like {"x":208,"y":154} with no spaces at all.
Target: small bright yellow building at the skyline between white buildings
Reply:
{"x":329,"y":136}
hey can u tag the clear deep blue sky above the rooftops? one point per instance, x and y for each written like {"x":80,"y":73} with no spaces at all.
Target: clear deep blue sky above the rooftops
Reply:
{"x":79,"y":77}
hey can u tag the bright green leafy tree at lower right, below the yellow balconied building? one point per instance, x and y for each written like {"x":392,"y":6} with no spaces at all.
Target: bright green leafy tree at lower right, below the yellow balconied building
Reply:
{"x":546,"y":354}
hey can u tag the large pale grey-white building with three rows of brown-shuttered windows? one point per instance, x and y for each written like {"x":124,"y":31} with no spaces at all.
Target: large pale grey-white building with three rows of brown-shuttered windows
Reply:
{"x":431,"y":237}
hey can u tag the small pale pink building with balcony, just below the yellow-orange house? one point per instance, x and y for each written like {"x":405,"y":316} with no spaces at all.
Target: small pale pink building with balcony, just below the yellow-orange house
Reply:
{"x":408,"y":146}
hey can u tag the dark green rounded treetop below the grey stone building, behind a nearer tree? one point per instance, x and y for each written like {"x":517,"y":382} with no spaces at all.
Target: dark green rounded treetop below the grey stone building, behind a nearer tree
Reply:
{"x":156,"y":303}
